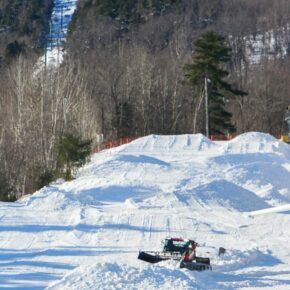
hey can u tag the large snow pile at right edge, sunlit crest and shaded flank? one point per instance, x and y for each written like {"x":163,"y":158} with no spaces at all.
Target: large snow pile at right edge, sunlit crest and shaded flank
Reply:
{"x":253,"y":159}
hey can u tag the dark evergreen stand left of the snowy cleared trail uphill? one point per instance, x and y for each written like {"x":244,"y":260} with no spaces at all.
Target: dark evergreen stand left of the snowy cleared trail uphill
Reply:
{"x":23,"y":26}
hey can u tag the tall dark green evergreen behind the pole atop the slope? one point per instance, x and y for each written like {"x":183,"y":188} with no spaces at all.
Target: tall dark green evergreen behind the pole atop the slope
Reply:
{"x":207,"y":72}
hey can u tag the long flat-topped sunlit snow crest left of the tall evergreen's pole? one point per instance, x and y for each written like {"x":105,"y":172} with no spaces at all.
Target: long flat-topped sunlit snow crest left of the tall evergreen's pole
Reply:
{"x":170,"y":144}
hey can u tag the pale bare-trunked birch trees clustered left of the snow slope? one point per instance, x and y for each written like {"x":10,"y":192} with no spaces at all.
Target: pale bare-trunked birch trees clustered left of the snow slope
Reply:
{"x":37,"y":111}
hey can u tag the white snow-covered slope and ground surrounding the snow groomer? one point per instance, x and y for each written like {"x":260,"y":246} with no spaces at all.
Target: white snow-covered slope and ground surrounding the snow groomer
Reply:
{"x":86,"y":234}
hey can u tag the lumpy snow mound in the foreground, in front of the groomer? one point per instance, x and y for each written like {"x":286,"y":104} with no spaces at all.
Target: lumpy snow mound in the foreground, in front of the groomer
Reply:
{"x":117,"y":276}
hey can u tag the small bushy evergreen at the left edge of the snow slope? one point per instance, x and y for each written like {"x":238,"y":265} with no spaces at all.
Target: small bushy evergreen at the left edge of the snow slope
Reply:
{"x":72,"y":152}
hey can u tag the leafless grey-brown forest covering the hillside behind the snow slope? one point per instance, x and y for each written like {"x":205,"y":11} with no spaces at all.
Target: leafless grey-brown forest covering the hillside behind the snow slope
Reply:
{"x":124,"y":75}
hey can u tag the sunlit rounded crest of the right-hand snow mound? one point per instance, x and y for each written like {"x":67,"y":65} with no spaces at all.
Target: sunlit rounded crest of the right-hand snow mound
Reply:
{"x":255,"y":142}
